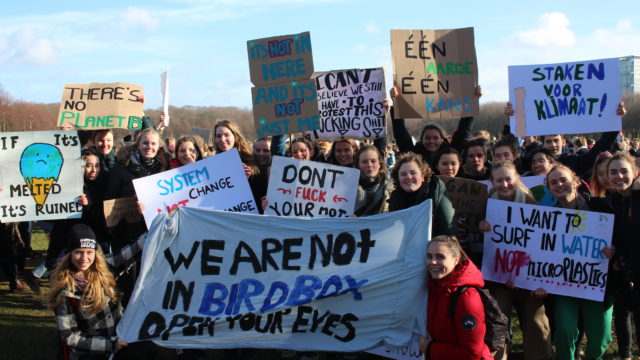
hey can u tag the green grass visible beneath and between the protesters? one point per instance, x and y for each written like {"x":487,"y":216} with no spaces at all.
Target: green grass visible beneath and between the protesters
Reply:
{"x":28,"y":330}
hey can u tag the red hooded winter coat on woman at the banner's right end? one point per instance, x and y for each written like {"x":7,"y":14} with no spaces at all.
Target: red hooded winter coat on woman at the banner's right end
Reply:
{"x":462,"y":338}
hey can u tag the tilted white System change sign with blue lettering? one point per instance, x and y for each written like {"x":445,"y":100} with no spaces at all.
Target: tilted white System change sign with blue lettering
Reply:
{"x":217,"y":182}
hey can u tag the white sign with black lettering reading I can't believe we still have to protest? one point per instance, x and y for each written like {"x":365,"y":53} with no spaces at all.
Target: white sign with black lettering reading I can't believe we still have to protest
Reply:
{"x":351,"y":104}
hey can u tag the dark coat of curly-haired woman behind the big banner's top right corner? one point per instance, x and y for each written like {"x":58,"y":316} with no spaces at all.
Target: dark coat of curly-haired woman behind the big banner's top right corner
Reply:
{"x":441,"y":208}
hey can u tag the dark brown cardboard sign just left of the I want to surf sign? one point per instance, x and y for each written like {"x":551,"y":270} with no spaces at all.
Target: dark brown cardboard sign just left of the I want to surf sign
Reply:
{"x":469,"y":199}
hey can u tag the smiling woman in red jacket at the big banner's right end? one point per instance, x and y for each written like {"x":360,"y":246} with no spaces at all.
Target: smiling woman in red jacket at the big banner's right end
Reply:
{"x":462,"y":337}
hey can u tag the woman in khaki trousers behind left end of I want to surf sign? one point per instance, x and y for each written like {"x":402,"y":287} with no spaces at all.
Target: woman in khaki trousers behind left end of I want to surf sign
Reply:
{"x":528,"y":304}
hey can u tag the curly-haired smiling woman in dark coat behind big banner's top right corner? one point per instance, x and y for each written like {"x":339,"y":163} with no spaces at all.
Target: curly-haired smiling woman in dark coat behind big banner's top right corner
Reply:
{"x":416,"y":183}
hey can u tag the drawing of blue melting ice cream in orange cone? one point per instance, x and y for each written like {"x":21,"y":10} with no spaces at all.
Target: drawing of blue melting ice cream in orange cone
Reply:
{"x":40,"y":165}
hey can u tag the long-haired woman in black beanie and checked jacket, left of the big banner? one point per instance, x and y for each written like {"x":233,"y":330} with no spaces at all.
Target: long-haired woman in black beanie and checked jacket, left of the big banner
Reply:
{"x":84,"y":296}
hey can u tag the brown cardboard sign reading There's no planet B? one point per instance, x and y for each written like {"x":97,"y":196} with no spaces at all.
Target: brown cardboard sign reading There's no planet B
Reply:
{"x":101,"y":106}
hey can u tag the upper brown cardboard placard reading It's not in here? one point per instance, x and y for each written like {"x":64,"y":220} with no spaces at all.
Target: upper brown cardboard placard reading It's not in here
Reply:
{"x":280,"y":58}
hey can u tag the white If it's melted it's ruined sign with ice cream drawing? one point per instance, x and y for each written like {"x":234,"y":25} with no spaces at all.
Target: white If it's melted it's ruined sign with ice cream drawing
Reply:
{"x":40,"y":175}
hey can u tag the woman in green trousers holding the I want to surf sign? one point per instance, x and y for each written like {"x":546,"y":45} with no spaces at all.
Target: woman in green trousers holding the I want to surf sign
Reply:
{"x":564,"y":185}
